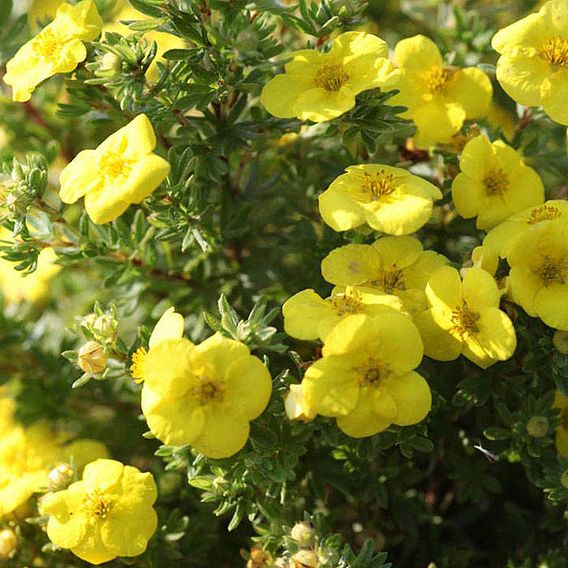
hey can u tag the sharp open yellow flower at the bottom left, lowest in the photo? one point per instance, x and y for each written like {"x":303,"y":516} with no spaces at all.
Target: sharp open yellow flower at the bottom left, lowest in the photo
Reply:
{"x":107,"y":514}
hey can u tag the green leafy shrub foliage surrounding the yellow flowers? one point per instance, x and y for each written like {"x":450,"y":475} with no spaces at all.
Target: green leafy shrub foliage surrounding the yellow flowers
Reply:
{"x":238,"y":216}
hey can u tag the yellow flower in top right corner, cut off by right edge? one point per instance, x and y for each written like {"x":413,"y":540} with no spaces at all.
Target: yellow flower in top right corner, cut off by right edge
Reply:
{"x":533,"y":67}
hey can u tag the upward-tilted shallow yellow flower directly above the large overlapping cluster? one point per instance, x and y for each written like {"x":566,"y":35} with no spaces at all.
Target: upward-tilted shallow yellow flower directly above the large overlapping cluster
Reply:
{"x":388,"y":199}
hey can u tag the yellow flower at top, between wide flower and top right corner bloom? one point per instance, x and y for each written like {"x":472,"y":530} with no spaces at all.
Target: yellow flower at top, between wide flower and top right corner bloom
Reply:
{"x":439,"y":97}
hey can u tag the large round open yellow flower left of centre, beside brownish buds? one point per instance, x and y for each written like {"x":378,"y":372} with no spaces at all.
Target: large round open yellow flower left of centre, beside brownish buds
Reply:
{"x":204,"y":395}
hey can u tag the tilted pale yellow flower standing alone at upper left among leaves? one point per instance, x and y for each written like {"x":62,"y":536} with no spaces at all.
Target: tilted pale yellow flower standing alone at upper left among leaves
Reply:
{"x":120,"y":171}
